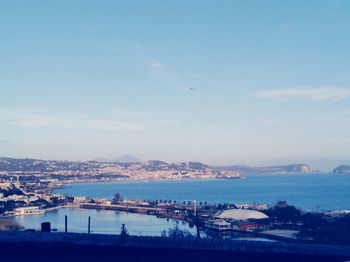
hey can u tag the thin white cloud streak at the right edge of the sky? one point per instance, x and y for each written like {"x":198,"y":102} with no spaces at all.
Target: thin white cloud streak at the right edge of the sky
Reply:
{"x":324,"y":93}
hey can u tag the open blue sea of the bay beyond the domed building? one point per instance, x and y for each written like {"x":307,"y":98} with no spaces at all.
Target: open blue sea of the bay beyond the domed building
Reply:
{"x":306,"y":191}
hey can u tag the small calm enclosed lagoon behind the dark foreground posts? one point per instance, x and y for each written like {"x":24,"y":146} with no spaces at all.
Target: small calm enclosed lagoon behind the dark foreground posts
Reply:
{"x":102,"y":221}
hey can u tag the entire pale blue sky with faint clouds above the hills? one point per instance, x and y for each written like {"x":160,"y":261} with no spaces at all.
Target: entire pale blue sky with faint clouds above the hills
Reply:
{"x":221,"y":82}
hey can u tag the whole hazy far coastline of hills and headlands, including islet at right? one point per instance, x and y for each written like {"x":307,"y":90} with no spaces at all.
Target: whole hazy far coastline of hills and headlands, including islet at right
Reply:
{"x":128,"y":167}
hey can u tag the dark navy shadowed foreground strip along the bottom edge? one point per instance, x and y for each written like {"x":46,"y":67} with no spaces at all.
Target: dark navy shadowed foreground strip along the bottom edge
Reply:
{"x":38,"y":246}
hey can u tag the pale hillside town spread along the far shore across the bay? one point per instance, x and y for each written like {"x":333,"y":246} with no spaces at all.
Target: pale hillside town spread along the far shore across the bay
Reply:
{"x":69,"y":172}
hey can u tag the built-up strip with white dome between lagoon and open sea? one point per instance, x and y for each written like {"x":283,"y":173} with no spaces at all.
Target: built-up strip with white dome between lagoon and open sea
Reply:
{"x":220,"y":217}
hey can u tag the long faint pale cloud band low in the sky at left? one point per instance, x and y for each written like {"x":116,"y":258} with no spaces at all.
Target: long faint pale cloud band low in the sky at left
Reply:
{"x":46,"y":117}
